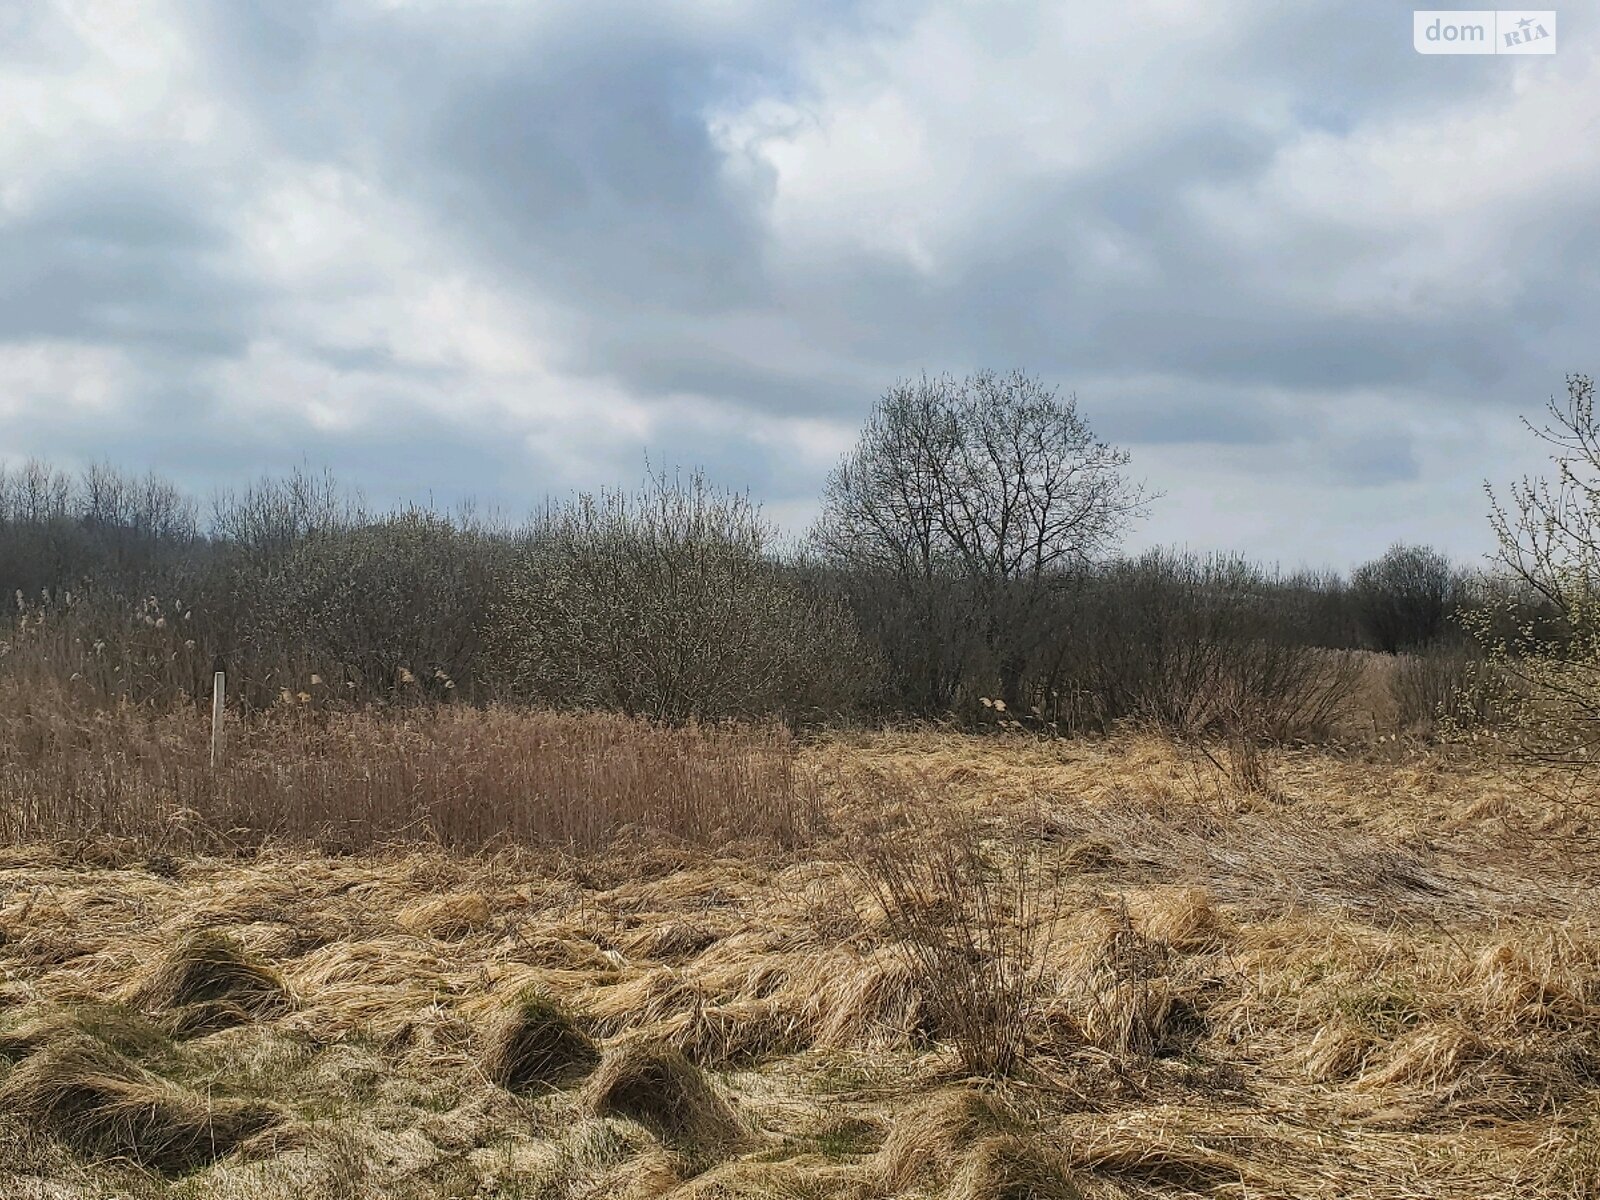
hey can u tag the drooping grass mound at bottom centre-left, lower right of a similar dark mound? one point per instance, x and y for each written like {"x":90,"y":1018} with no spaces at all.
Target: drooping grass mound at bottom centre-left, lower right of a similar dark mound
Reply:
{"x":666,"y":1094}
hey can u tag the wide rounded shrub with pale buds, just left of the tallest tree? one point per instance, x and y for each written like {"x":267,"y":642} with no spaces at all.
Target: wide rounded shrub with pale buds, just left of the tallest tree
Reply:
{"x":668,"y":606}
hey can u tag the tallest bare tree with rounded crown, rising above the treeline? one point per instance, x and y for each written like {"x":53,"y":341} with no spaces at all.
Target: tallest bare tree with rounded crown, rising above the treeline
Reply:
{"x":994,"y":484}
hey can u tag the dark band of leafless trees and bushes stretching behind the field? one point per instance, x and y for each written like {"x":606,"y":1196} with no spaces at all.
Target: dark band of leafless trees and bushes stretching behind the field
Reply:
{"x":966,"y":567}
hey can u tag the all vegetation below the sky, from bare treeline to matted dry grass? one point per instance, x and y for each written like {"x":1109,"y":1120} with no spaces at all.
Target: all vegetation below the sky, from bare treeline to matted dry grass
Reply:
{"x":633,"y":852}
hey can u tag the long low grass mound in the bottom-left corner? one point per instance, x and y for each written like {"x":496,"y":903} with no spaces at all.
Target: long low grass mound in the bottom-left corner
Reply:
{"x":98,"y":1103}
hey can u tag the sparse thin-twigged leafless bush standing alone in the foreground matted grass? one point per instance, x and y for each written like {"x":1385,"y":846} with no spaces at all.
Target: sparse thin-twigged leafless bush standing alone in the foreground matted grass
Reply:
{"x":974,"y":919}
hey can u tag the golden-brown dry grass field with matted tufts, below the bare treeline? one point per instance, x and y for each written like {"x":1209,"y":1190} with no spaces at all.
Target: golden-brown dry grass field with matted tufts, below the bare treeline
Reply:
{"x":569,"y":958}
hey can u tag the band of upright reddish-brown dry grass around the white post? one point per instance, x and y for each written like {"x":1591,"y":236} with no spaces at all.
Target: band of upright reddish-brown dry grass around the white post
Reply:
{"x":348,"y":782}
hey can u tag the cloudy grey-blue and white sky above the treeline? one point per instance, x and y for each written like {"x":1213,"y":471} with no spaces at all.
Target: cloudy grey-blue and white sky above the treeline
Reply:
{"x":1306,"y":276}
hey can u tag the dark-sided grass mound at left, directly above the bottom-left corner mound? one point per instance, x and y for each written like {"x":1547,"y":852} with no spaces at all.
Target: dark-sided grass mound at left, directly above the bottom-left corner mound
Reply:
{"x":212,"y":978}
